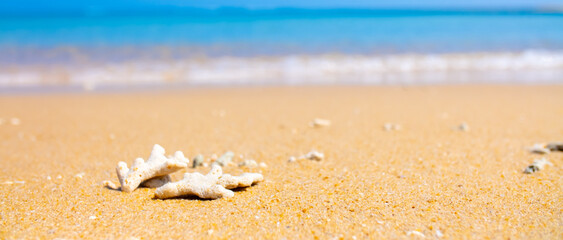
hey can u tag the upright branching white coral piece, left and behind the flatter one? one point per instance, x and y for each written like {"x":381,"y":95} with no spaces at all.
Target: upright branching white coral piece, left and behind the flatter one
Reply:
{"x":157,"y":166}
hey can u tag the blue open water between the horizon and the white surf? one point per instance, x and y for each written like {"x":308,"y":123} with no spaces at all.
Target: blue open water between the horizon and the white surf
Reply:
{"x":266,"y":33}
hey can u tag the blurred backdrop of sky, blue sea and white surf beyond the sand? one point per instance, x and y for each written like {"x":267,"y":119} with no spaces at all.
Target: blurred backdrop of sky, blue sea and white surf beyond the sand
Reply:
{"x":124,"y":44}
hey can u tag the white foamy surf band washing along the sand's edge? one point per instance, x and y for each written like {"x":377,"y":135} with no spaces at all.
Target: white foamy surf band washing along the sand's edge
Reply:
{"x":533,"y":66}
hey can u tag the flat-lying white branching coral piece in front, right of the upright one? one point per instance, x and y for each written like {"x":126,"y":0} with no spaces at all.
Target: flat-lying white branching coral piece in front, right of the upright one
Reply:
{"x":203,"y":186}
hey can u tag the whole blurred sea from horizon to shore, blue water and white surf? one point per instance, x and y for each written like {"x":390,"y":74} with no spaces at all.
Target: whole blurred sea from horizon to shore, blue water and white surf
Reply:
{"x":294,"y":45}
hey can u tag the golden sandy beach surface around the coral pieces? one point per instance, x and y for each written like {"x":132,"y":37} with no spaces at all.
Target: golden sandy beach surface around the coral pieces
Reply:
{"x":427,"y":177}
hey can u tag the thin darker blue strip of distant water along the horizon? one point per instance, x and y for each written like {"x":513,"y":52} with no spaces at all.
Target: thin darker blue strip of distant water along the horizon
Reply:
{"x":245,"y":11}
